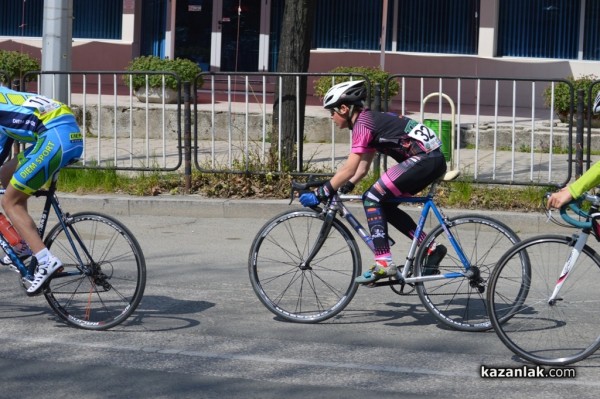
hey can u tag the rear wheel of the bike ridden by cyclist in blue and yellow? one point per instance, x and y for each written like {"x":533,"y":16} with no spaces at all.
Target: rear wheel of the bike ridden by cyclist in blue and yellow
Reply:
{"x":104,"y":272}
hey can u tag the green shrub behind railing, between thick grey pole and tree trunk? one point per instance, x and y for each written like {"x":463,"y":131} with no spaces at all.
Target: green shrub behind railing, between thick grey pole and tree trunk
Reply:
{"x":187,"y":70}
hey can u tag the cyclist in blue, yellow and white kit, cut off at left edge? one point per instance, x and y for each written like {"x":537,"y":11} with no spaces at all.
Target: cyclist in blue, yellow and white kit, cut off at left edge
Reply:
{"x":51,"y":131}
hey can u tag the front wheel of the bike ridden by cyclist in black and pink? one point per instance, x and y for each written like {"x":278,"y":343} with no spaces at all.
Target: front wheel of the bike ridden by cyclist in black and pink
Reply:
{"x":290,"y":287}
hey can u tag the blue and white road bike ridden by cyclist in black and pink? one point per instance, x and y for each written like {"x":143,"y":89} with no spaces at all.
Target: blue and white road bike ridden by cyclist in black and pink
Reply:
{"x":302,"y":263}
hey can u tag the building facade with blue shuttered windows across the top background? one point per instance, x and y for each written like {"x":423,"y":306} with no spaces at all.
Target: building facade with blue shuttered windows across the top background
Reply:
{"x":550,"y":39}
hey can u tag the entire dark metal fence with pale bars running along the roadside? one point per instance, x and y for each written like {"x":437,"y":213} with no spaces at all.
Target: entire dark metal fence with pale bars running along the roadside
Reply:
{"x":502,"y":131}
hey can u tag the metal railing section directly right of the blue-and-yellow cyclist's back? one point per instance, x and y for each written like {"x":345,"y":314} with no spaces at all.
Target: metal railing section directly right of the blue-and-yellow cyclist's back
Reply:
{"x":124,"y":127}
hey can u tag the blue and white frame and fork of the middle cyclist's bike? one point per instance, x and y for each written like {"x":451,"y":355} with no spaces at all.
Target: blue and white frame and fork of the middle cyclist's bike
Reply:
{"x":336,"y":205}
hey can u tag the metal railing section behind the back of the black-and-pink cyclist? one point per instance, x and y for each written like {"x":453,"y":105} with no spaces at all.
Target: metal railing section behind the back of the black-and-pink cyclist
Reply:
{"x":504,"y":132}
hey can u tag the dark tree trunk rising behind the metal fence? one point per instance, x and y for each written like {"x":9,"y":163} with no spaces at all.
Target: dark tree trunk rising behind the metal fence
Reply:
{"x":294,"y":56}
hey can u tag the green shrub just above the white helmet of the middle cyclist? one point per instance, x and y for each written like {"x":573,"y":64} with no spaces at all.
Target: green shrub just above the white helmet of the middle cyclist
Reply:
{"x":374,"y":75}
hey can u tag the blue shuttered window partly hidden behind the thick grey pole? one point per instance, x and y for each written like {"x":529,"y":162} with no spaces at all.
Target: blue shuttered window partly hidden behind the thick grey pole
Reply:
{"x":92,"y":19}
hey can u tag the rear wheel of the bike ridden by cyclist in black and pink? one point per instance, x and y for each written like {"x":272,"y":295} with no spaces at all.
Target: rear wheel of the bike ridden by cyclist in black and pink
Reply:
{"x":458,"y":301}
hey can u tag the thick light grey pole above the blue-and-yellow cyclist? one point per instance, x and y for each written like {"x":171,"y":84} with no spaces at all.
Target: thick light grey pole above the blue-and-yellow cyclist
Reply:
{"x":56,"y":48}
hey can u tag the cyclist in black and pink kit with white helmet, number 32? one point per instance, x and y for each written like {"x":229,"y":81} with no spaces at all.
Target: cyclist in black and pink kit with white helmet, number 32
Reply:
{"x":420,"y":162}
